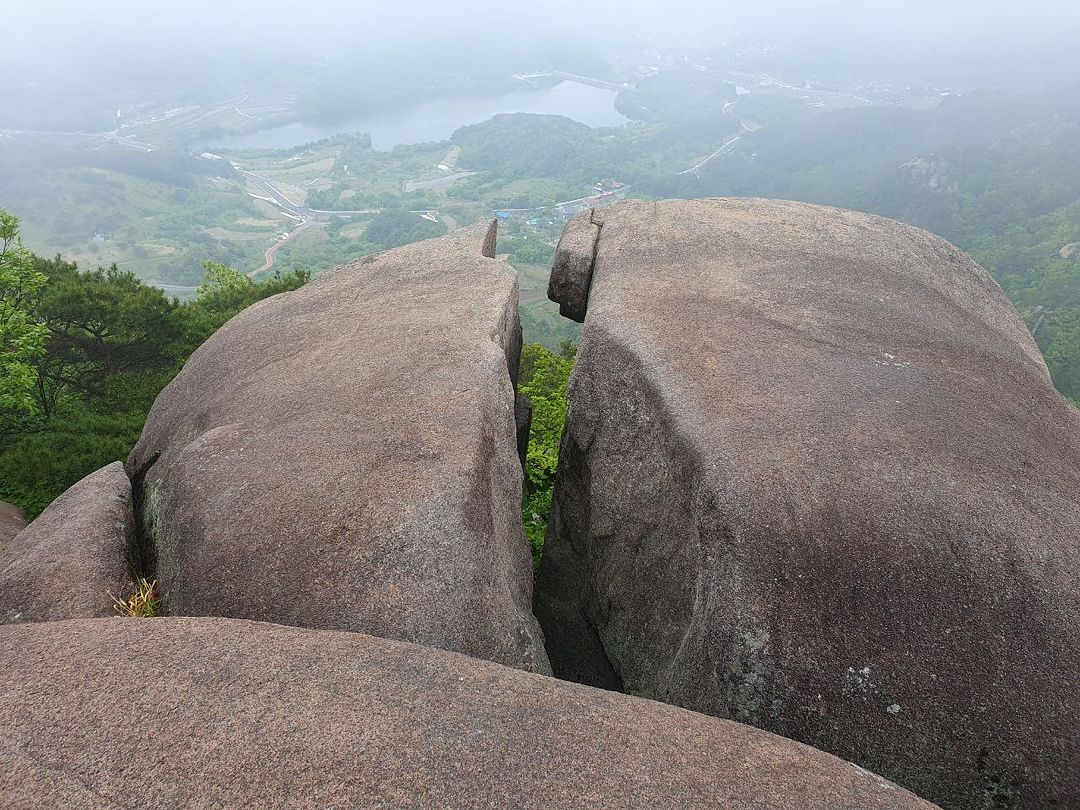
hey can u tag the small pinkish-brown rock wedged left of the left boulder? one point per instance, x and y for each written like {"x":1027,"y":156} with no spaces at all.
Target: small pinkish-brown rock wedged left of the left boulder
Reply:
{"x":74,"y":556}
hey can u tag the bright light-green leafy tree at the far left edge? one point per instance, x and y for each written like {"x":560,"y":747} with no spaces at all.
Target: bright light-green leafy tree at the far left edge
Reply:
{"x":22,"y":334}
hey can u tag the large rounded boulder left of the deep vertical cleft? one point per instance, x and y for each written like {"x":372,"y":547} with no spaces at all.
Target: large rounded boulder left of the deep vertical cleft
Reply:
{"x":345,"y":457}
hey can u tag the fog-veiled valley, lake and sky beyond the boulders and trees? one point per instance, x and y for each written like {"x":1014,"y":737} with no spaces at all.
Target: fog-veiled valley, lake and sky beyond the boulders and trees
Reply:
{"x":158,"y":136}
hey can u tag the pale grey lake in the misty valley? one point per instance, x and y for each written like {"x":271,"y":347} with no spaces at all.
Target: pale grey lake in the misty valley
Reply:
{"x":437,"y":120}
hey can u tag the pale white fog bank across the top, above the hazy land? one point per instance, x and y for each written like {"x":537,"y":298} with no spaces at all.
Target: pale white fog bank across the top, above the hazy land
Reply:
{"x":60,"y":50}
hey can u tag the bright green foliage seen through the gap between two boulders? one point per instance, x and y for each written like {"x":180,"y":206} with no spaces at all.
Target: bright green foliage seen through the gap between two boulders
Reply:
{"x":544,"y":379}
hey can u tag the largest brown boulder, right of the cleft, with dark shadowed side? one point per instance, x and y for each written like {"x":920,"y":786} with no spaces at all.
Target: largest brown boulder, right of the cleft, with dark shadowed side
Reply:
{"x":816,"y":478}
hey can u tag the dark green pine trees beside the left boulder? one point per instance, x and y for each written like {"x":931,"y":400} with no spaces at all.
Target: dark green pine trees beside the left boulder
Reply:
{"x":114,"y":344}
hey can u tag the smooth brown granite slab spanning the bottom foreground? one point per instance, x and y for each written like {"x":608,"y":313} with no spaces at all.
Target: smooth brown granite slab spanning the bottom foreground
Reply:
{"x":225,"y":713}
